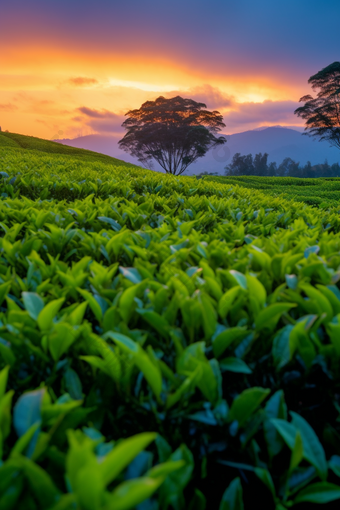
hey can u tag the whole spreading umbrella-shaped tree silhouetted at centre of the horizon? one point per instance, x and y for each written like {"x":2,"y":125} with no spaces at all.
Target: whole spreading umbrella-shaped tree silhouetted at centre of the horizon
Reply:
{"x":175,"y":132}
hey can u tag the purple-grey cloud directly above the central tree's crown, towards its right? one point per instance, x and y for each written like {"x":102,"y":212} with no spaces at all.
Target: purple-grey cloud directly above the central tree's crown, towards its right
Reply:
{"x":213,"y":97}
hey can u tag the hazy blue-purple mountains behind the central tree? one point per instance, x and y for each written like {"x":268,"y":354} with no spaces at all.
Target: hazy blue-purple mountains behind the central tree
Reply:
{"x":278,"y":142}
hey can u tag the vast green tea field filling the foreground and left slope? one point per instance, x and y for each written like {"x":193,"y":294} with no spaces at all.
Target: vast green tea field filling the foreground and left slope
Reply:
{"x":165,"y":343}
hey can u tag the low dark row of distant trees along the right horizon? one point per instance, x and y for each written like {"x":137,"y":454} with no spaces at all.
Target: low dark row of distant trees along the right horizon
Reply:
{"x":258,"y":165}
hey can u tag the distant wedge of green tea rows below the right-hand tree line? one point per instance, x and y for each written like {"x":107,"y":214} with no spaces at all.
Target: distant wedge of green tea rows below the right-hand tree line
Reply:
{"x":321,"y":192}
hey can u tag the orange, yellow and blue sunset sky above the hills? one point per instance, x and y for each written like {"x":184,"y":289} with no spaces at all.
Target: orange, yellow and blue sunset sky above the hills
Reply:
{"x":72,"y":68}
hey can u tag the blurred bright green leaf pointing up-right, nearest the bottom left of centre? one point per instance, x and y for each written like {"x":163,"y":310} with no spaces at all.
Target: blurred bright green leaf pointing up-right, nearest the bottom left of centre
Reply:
{"x":122,"y":454}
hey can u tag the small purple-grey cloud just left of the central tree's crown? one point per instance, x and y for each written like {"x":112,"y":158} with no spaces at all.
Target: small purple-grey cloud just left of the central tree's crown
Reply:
{"x":100,"y":121}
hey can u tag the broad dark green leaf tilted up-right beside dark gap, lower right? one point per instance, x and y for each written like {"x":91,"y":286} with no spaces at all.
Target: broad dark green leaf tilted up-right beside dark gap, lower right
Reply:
{"x":246,"y":403}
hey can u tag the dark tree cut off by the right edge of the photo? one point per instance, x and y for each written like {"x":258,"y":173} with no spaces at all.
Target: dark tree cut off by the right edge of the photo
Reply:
{"x":322,"y":113}
